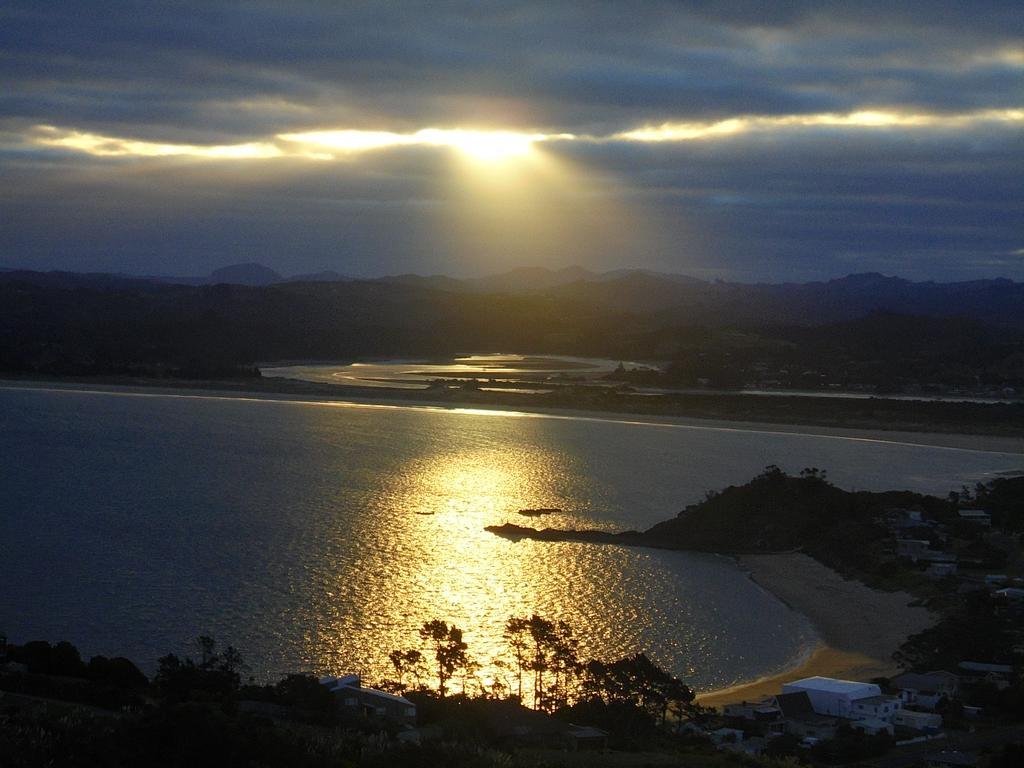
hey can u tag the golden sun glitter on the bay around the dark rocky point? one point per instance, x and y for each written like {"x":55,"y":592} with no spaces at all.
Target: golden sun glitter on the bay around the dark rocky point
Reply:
{"x":417,"y":550}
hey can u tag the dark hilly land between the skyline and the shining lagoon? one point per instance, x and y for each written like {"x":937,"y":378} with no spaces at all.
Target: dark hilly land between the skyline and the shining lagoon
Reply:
{"x":863,"y":332}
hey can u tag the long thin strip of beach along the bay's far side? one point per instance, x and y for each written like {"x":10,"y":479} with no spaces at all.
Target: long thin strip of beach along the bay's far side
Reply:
{"x":401,"y":401}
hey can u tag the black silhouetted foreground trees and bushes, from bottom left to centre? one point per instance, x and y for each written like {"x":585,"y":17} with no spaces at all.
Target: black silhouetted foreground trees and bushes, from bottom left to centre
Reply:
{"x":58,"y":710}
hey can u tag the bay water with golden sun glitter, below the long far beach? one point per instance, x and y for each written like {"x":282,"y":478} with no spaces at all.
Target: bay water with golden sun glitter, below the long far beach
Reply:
{"x":320,"y":536}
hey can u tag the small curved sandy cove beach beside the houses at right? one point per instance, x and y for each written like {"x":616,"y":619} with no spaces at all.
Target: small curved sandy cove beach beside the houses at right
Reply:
{"x":861,"y":628}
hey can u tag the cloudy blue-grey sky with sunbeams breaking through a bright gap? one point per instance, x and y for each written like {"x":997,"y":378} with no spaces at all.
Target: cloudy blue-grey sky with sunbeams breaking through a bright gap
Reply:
{"x":739,"y":141}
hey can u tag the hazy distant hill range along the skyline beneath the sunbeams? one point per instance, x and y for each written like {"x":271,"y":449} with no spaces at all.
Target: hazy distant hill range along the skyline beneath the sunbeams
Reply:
{"x":667,"y":300}
